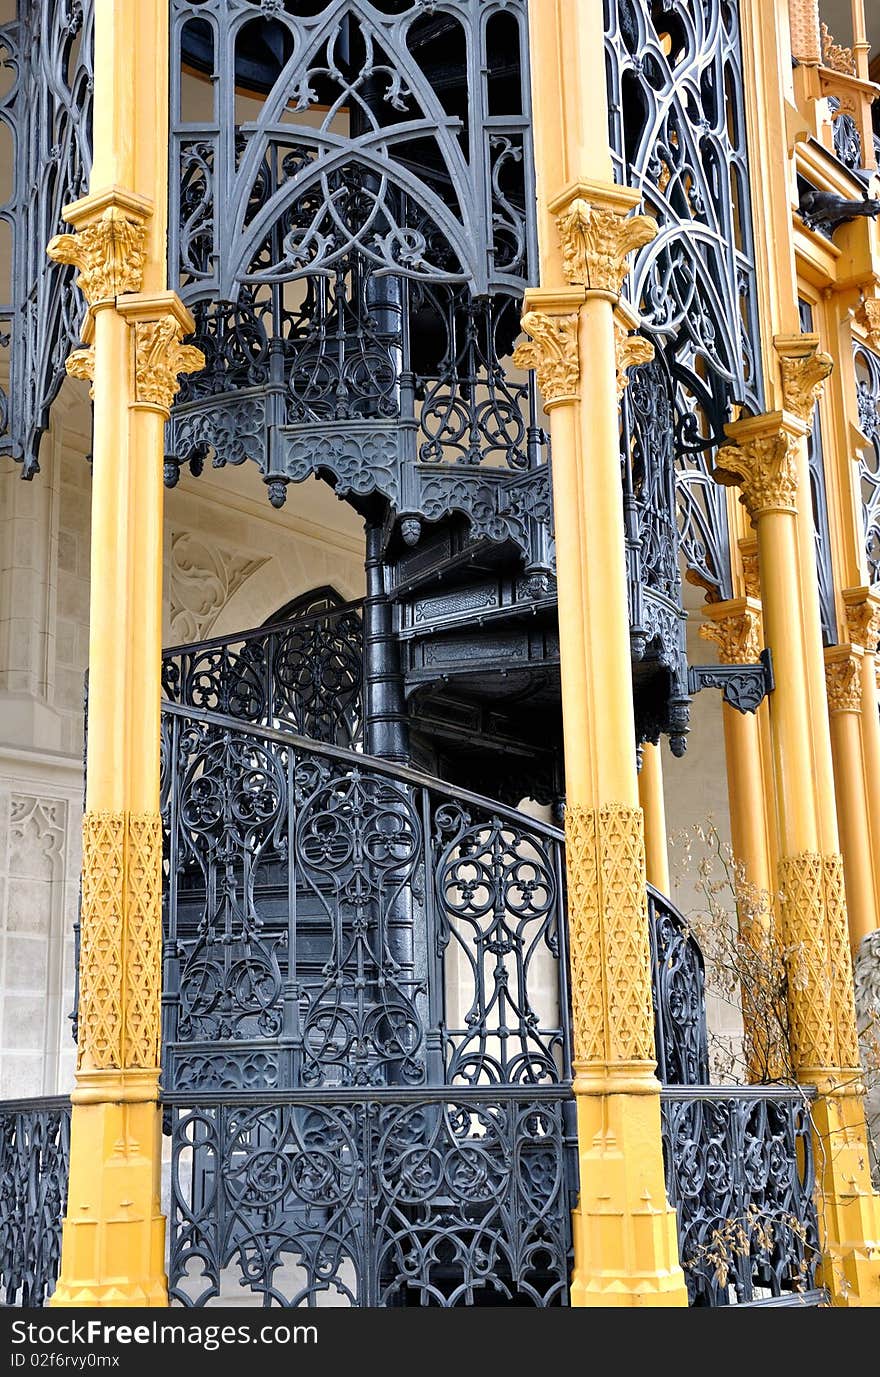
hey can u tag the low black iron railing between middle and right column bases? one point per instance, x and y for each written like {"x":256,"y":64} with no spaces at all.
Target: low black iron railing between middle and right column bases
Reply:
{"x":740,"y":1173}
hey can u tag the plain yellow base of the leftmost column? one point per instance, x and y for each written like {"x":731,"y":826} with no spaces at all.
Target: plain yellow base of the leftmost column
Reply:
{"x":114,"y":1239}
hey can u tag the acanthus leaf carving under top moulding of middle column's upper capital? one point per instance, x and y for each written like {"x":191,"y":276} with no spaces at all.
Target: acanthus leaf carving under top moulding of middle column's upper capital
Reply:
{"x":597,"y":244}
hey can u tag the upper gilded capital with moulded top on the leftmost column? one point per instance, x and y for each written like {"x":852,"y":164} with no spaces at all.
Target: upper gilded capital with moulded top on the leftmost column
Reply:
{"x":108,"y":246}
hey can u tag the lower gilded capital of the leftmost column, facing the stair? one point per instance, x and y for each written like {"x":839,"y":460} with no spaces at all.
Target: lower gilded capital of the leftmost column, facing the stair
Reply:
{"x":160,"y":356}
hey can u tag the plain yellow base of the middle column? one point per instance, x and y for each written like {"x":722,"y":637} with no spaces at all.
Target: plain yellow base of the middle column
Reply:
{"x":626,"y":1234}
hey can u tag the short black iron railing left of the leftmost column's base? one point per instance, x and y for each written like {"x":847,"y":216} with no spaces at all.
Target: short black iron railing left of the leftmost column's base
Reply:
{"x":35,"y":1157}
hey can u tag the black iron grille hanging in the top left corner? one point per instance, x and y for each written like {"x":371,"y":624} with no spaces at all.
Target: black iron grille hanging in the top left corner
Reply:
{"x":46,"y":112}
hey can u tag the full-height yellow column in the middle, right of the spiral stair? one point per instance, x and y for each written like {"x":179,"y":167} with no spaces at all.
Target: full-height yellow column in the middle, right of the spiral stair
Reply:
{"x":626,"y":1239}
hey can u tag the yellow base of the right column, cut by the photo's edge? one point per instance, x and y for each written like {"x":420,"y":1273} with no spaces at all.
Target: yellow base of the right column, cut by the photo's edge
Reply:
{"x":849,"y":1208}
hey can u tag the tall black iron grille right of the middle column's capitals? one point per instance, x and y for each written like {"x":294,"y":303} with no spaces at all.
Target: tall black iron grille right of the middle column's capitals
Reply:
{"x":678,"y":137}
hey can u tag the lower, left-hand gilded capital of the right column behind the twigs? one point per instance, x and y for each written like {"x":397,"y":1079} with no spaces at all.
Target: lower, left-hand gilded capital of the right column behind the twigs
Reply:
{"x":762,"y":461}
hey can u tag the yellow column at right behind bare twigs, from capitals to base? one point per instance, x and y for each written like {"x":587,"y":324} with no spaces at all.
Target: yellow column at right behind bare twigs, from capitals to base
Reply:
{"x":768,"y":461}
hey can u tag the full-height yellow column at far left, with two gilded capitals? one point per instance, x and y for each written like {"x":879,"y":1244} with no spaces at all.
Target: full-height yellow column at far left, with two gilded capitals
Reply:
{"x":114,"y":1233}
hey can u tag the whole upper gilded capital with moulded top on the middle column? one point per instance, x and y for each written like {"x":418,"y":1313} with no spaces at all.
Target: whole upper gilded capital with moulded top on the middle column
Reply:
{"x":598,"y":233}
